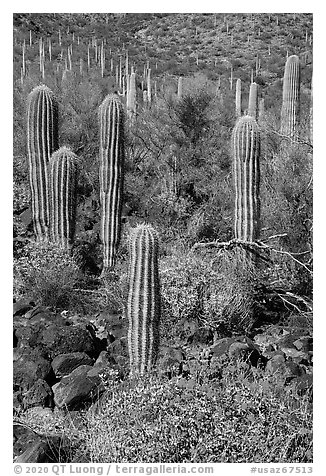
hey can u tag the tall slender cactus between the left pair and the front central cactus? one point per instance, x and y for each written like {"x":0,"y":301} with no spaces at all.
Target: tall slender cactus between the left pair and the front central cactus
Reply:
{"x":111,"y":121}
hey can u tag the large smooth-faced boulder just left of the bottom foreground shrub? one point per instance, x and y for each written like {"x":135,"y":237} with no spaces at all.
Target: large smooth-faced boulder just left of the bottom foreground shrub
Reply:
{"x":78,"y":388}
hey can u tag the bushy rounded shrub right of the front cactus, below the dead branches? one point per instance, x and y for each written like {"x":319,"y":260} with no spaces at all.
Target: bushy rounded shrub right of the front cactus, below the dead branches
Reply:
{"x":219,"y":290}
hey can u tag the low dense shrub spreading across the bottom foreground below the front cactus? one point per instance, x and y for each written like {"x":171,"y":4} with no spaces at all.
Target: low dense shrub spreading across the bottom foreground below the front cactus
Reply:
{"x":236,"y":420}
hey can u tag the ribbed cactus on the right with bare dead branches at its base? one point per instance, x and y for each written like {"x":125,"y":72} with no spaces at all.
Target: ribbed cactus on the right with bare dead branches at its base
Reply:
{"x":246,"y":153}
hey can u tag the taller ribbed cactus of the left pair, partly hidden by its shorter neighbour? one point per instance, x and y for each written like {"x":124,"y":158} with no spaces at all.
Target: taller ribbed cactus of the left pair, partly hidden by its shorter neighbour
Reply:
{"x":42,"y":141}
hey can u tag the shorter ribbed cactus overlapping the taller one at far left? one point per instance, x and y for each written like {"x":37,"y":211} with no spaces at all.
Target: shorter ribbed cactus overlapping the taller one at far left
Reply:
{"x":63,"y":177}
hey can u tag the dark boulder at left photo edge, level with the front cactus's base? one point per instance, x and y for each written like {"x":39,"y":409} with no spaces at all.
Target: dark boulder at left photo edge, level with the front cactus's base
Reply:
{"x":29,"y":367}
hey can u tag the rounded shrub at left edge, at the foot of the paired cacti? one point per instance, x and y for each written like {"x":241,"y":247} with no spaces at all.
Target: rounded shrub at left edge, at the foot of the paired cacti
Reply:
{"x":47,"y":274}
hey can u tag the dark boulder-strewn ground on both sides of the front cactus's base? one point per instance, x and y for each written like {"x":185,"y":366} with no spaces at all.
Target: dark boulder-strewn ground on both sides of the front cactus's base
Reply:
{"x":63,"y":365}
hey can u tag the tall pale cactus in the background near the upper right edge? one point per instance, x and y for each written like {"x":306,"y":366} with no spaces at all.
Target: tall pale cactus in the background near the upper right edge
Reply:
{"x":291,"y":97}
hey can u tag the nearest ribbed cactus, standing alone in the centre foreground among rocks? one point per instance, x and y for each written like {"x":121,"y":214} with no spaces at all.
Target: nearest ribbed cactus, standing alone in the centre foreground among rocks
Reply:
{"x":143,"y":306}
